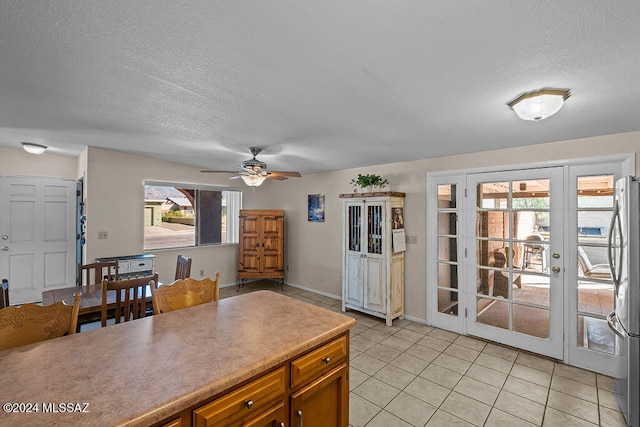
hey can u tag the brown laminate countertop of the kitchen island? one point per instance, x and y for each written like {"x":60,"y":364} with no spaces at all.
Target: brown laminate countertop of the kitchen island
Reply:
{"x":141,"y":372}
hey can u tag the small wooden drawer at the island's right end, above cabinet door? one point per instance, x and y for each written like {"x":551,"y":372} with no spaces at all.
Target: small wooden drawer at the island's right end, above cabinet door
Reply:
{"x":318,"y":361}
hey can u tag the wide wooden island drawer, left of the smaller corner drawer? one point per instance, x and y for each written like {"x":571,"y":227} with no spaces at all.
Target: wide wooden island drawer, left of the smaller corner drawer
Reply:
{"x":243,"y":403}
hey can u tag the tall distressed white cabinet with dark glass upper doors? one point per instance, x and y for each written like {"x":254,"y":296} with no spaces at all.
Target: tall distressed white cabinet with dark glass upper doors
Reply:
{"x":372,"y":273}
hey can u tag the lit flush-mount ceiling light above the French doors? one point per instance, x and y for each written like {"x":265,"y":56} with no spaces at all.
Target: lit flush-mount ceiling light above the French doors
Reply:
{"x":539,"y":104}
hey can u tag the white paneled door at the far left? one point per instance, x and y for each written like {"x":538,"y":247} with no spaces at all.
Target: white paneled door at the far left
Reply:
{"x":37,"y":232}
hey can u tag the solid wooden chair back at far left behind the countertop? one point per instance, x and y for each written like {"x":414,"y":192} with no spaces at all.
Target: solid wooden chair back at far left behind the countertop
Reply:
{"x":31,"y":323}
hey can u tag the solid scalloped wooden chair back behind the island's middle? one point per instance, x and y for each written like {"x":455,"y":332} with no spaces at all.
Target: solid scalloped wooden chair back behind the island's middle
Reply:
{"x":185,"y":293}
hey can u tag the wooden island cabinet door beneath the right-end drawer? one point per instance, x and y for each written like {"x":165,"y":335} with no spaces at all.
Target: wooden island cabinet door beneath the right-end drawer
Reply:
{"x":324,"y":402}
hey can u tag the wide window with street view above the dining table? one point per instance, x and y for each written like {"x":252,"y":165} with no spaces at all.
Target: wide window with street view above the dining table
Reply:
{"x":182,"y":215}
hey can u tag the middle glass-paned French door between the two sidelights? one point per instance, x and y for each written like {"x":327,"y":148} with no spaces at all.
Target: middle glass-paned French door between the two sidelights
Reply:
{"x":517,"y":266}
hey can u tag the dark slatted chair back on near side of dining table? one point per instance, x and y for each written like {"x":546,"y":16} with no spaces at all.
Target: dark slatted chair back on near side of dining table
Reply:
{"x":130,"y":298}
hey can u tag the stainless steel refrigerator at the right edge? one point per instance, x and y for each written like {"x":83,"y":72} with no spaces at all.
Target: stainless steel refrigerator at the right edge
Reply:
{"x":624,"y":321}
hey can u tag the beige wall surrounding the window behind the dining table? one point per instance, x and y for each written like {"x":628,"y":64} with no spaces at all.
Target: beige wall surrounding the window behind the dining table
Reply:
{"x":114,"y":190}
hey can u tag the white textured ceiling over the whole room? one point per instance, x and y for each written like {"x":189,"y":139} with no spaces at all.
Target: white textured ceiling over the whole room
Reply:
{"x":320,"y":85}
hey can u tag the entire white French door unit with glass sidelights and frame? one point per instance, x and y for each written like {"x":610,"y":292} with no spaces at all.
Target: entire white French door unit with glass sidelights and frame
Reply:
{"x":520,"y":257}
